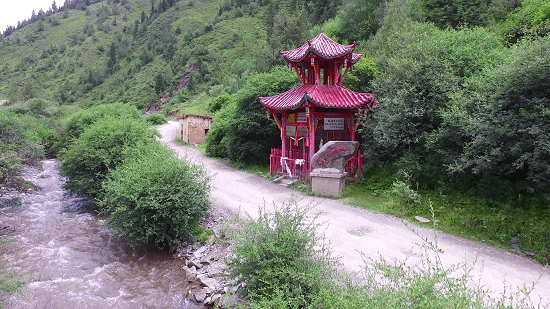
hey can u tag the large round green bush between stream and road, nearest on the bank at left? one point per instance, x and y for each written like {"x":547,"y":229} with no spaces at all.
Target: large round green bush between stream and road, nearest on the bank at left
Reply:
{"x":153,"y":197}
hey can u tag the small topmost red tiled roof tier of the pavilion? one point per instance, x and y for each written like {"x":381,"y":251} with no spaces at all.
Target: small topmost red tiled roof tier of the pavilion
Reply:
{"x":323,"y":47}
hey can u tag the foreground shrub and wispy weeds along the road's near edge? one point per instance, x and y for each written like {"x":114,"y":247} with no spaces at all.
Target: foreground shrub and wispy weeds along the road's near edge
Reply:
{"x":281,"y":261}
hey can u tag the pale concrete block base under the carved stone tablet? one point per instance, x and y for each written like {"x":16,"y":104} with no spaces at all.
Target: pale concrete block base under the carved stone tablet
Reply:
{"x":328,"y":181}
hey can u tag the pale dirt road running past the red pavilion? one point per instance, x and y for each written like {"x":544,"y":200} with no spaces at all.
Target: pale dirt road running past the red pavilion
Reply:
{"x":353,"y":231}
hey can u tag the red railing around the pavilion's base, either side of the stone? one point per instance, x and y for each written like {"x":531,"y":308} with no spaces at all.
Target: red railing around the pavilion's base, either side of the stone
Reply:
{"x":297,"y":164}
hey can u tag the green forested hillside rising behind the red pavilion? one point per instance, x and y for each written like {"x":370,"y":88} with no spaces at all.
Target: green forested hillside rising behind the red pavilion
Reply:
{"x":463,"y":85}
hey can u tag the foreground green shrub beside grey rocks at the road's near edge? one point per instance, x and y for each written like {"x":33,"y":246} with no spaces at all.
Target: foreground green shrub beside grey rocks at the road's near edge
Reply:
{"x":280,"y":254}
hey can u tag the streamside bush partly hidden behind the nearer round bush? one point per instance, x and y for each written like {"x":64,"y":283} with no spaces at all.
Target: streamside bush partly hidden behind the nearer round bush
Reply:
{"x":98,"y":150}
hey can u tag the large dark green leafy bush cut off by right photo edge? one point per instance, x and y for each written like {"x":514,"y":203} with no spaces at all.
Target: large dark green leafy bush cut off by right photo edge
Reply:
{"x":514,"y":101}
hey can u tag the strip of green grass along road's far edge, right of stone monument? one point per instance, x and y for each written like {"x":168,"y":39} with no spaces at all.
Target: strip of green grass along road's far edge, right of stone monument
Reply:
{"x":525,"y":231}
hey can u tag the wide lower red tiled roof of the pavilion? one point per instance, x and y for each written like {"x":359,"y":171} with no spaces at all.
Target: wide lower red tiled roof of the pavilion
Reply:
{"x":320,"y":95}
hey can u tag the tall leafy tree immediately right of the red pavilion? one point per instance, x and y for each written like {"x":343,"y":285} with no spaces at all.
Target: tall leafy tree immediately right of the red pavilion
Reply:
{"x":415,"y":88}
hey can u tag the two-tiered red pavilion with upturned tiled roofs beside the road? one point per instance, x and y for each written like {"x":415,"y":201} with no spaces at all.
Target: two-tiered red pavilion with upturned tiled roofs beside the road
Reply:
{"x":321,"y":109}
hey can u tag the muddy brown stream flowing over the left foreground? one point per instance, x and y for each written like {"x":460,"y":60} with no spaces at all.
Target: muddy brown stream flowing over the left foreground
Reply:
{"x":70,"y":260}
